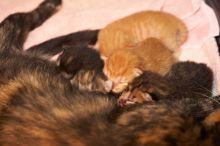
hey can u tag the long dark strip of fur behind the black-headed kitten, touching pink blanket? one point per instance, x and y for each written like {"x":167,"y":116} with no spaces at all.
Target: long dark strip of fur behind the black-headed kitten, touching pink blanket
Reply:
{"x":57,"y":45}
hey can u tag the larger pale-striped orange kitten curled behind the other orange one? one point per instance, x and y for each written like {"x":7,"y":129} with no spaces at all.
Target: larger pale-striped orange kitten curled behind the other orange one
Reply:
{"x":133,"y":29}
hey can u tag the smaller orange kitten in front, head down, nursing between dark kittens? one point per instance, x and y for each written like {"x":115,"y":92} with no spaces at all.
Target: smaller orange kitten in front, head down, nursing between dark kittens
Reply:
{"x":122,"y":66}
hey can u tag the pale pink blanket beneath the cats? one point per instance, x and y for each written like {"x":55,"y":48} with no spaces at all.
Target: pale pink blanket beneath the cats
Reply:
{"x":89,"y":14}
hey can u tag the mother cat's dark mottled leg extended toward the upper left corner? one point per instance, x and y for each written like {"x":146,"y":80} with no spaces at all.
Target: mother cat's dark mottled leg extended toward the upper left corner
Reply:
{"x":15,"y":28}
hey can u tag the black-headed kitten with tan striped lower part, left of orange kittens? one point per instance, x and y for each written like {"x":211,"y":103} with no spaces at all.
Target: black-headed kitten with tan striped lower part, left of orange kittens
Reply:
{"x":83,"y":67}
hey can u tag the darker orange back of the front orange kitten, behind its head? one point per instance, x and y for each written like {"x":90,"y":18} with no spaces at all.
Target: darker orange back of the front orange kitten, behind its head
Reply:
{"x":156,"y":56}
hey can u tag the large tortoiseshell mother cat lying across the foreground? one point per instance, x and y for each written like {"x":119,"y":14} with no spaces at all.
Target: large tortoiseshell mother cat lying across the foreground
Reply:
{"x":39,"y":107}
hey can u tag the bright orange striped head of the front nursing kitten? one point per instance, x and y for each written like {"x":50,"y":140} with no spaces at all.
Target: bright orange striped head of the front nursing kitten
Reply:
{"x":121,"y":67}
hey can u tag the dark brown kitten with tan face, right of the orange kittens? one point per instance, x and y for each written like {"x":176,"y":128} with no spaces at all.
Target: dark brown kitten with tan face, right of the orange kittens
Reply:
{"x":187,"y":83}
